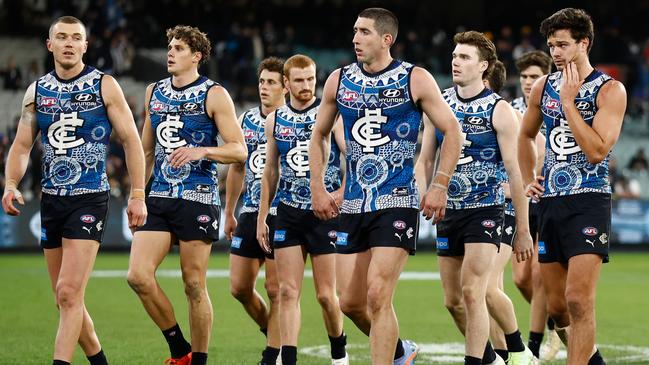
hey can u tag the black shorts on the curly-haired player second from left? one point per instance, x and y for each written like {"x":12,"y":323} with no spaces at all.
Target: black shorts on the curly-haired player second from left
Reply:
{"x":185,"y":219}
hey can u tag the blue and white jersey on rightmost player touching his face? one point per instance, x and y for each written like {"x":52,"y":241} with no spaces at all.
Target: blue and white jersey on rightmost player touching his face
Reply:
{"x":566,"y":168}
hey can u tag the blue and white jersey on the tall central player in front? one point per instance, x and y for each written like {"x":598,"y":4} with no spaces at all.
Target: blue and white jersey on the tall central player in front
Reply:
{"x":381,"y":128}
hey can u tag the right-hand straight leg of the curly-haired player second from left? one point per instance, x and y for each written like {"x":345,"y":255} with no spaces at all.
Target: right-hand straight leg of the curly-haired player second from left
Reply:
{"x":194,"y":260}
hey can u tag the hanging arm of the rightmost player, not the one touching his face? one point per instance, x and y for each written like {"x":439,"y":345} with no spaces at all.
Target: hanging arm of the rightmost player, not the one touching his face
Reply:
{"x":529,"y":129}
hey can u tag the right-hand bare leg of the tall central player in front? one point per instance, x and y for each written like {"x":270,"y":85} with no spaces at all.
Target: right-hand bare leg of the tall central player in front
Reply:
{"x":385,"y":267}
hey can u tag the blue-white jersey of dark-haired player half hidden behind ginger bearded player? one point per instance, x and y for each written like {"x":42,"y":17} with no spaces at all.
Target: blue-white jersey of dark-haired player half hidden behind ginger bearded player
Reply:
{"x":252,"y":124}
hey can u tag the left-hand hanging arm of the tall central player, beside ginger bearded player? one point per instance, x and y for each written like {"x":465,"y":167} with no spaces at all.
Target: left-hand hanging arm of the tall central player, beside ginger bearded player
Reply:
{"x":324,"y":204}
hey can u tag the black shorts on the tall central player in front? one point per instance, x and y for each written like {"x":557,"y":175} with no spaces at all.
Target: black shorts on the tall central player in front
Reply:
{"x":392,"y":227}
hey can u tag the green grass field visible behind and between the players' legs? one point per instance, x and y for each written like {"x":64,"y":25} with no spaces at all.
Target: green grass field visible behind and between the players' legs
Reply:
{"x":28,"y":317}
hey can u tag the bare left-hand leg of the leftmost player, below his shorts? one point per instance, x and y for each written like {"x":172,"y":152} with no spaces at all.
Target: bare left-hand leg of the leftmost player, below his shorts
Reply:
{"x":77,"y":260}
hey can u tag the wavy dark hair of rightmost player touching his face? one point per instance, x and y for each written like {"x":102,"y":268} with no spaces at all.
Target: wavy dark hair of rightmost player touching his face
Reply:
{"x":577,"y":21}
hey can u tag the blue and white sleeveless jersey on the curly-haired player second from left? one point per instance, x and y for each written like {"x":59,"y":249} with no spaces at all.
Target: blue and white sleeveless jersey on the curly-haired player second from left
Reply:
{"x":179,"y":119}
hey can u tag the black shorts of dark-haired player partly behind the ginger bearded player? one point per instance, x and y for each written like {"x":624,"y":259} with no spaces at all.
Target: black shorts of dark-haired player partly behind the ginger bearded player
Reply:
{"x":244,"y":241}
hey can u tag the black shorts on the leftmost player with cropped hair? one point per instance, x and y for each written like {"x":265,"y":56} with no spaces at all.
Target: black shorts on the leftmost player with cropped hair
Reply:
{"x":74,"y":217}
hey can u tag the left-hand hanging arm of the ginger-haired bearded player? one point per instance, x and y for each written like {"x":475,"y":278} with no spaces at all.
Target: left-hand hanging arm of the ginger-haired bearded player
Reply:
{"x":268,"y":182}
